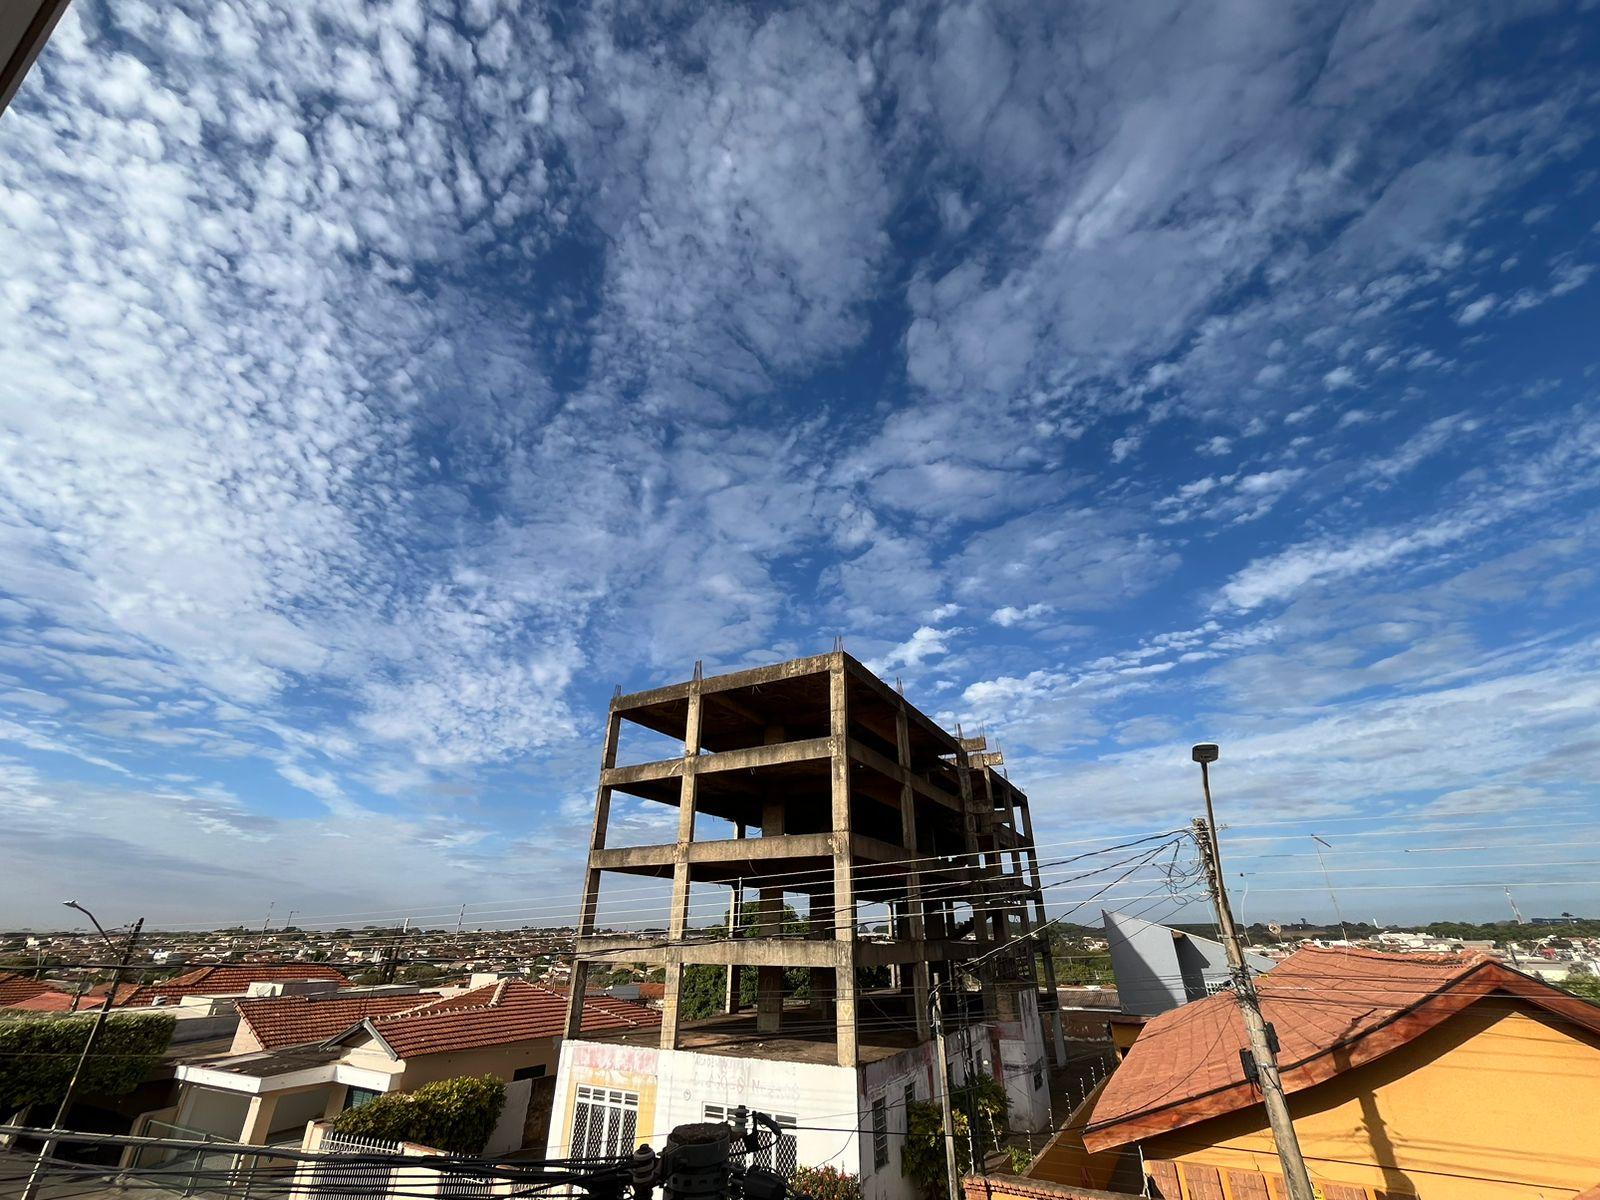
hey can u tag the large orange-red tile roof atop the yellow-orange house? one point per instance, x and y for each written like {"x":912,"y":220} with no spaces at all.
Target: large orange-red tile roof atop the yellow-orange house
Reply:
{"x":1362,"y":1004}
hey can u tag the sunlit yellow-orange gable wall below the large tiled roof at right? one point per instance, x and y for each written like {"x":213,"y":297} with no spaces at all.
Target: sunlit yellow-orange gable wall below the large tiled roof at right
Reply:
{"x":1500,"y":1102}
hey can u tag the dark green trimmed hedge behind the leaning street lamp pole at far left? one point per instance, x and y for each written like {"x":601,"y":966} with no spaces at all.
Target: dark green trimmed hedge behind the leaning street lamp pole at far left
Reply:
{"x":38,"y":1055}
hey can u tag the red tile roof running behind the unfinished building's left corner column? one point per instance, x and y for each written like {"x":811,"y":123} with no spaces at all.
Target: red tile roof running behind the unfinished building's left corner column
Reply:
{"x":510,"y":1010}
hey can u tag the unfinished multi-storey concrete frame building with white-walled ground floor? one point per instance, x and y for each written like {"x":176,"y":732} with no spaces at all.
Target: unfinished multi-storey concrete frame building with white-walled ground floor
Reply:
{"x":842,"y":852}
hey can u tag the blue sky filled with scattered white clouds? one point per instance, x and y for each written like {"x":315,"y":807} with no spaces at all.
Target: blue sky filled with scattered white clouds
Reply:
{"x":385,"y":383}
